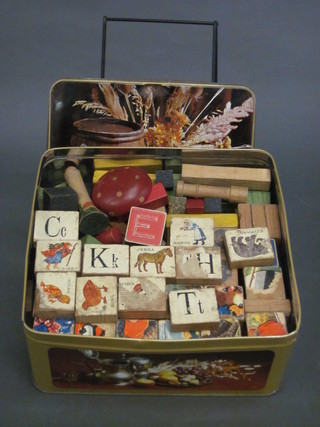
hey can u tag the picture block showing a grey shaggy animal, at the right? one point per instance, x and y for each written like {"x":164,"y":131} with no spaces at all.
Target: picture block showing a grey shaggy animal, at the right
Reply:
{"x":248,"y":247}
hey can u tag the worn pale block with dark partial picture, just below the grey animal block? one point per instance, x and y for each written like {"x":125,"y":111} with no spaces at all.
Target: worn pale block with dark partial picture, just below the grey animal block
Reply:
{"x":264,"y":283}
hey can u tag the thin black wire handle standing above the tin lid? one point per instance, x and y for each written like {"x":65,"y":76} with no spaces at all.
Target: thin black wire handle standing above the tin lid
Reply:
{"x":213,"y":24}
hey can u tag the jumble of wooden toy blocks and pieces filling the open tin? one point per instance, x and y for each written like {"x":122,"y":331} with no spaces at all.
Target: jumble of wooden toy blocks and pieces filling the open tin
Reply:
{"x":198,"y":262}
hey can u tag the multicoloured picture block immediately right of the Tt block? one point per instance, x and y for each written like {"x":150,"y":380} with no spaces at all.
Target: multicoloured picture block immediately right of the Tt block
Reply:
{"x":230,"y":301}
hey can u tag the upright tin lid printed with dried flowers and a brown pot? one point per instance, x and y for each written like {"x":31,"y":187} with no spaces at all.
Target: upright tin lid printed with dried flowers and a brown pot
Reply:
{"x":150,"y":114}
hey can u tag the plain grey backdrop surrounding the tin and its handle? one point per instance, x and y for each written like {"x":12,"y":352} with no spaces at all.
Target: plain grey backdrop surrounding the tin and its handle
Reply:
{"x":272,"y":47}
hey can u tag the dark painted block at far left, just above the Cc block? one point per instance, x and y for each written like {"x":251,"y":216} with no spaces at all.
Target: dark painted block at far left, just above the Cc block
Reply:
{"x":60,"y":199}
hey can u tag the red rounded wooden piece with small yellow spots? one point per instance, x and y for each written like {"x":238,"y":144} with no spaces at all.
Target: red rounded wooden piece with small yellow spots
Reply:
{"x":120,"y":189}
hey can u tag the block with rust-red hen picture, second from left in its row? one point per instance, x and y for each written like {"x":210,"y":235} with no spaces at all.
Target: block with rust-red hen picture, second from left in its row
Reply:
{"x":96,"y":299}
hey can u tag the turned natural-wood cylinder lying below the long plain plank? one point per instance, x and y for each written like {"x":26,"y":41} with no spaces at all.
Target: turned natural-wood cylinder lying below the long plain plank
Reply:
{"x":233,"y":194}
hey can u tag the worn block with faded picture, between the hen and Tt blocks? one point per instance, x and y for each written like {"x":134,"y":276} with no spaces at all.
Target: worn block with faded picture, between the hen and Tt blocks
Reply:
{"x":142,"y":298}
